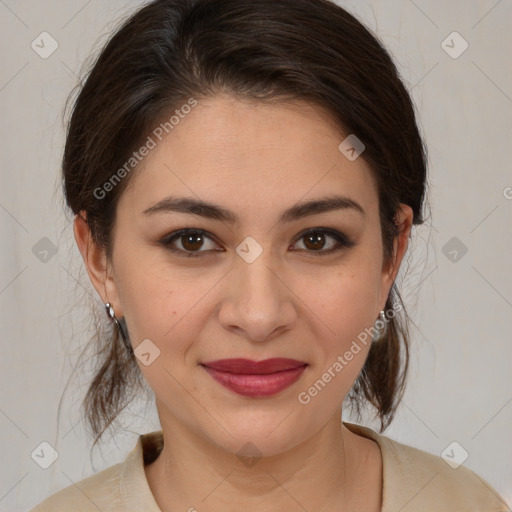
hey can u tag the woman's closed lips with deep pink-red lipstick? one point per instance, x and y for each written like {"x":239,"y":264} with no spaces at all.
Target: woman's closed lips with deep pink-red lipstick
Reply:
{"x":255,"y":378}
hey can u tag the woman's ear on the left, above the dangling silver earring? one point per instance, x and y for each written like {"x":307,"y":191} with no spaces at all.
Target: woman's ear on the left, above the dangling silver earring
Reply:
{"x":95,"y":260}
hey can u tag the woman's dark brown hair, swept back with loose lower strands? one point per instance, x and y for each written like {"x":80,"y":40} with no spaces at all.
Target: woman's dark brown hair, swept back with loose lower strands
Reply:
{"x":268,"y":50}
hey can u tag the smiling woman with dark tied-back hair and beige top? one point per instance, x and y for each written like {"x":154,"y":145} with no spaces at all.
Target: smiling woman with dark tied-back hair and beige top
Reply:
{"x":244,"y":178}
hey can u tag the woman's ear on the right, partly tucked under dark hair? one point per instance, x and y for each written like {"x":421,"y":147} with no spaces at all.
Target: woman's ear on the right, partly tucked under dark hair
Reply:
{"x":403,"y":218}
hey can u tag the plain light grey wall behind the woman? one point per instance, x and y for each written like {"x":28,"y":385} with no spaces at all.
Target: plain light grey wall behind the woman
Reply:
{"x":460,"y":386}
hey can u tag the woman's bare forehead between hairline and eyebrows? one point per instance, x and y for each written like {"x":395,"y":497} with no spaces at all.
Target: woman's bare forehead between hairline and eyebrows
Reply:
{"x":243,"y":153}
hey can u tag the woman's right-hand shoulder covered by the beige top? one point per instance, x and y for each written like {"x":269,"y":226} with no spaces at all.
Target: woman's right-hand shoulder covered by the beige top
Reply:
{"x":415,"y":480}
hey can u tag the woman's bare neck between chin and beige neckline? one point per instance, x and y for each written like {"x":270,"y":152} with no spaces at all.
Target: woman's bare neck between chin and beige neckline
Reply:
{"x":322,"y":472}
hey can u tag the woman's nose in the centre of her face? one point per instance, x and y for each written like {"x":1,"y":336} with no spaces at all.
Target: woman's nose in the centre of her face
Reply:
{"x":257,"y":303}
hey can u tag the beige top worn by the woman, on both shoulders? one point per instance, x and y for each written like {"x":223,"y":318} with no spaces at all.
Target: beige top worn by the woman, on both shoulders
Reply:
{"x":413,"y":481}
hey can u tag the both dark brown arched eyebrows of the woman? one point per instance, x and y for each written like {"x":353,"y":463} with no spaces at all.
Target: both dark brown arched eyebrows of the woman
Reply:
{"x":212,"y":211}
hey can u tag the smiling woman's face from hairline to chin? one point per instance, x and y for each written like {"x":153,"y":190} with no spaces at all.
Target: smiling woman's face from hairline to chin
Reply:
{"x":252,"y":284}
